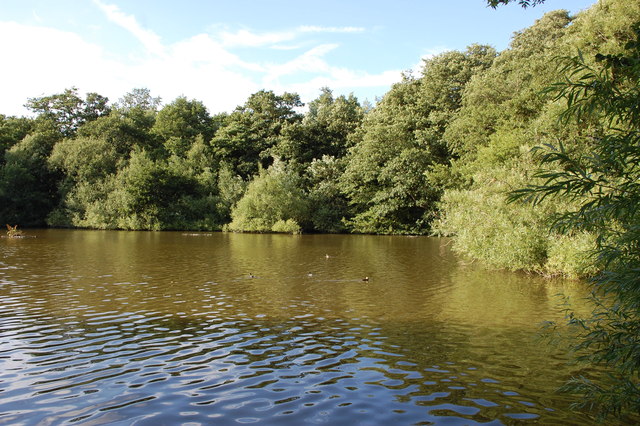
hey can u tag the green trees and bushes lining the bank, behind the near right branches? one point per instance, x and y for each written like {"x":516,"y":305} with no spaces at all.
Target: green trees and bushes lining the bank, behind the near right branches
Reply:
{"x":437,"y":155}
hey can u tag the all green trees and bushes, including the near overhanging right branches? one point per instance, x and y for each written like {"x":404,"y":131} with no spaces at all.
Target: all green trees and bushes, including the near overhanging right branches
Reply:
{"x":527,"y":157}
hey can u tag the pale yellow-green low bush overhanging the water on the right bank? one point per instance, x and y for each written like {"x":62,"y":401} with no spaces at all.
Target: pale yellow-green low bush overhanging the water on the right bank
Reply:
{"x":510,"y":236}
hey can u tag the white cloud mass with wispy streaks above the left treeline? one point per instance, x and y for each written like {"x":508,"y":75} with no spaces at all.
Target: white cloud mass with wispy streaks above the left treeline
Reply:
{"x":41,"y":61}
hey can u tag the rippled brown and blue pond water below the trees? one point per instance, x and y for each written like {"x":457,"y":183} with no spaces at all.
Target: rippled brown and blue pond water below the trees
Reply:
{"x":168,"y":328}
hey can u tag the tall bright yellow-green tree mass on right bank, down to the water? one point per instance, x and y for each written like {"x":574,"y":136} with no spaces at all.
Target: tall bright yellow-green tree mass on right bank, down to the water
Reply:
{"x":504,"y":115}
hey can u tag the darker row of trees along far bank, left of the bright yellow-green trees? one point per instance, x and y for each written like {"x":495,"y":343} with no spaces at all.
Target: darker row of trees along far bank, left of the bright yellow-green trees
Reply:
{"x":267,"y":166}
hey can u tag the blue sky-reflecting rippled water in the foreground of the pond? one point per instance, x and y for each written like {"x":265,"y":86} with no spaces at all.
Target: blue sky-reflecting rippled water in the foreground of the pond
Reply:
{"x":238,"y":370}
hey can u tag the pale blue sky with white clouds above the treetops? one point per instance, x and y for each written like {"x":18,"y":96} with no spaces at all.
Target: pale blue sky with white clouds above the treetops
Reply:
{"x":220,"y":52}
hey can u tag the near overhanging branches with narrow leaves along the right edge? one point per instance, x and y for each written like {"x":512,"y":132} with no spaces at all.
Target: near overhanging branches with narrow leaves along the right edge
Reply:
{"x":605,"y":184}
